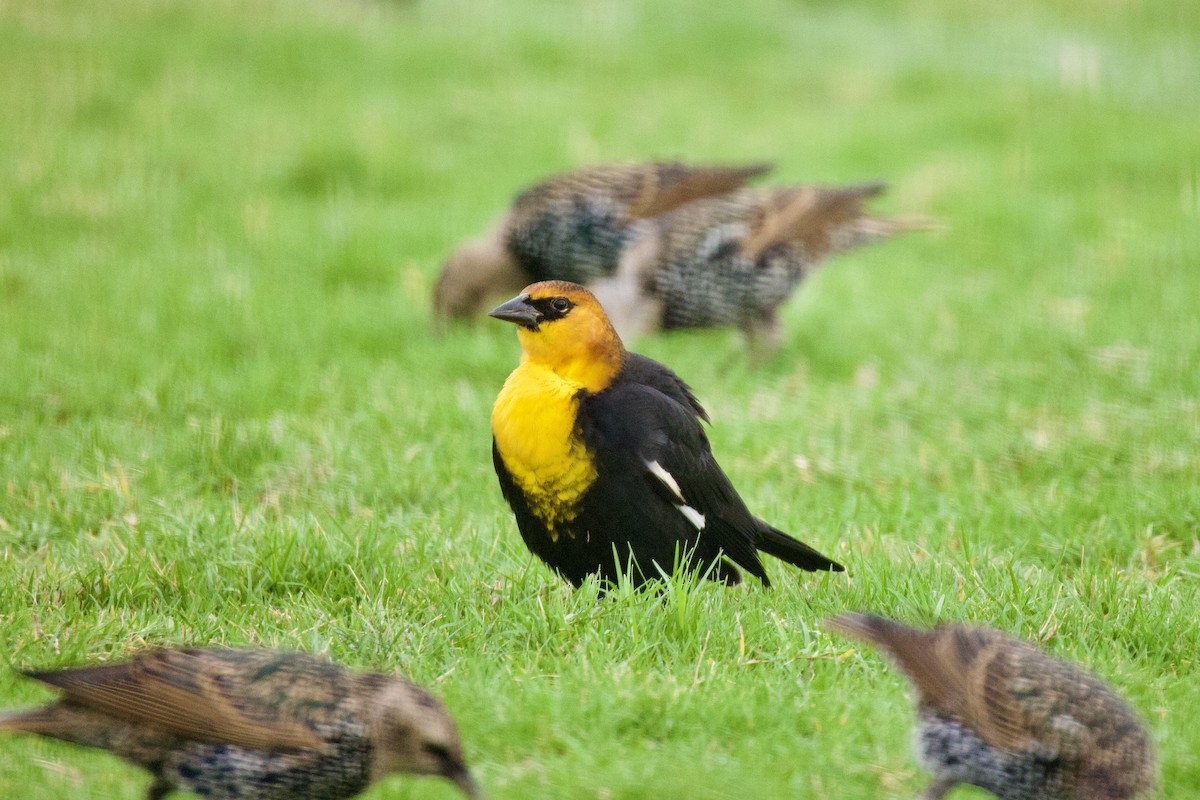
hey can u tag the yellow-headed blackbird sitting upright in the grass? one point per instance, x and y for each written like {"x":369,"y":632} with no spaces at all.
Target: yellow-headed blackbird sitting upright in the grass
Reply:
{"x":602,"y":456}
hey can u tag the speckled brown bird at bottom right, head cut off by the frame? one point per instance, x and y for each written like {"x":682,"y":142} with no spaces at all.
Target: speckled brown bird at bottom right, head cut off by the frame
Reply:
{"x":1001,"y":715}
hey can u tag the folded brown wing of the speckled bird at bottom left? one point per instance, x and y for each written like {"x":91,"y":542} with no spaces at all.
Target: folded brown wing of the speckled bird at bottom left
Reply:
{"x":195,"y":694}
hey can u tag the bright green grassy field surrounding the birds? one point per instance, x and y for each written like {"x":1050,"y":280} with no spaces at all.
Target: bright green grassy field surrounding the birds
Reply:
{"x":225,"y":417}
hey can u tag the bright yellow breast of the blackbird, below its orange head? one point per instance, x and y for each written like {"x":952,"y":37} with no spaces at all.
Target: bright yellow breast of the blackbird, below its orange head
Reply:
{"x":536,"y":432}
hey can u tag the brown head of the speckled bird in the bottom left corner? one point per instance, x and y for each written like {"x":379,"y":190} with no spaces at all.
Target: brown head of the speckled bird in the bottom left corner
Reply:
{"x":413,"y":733}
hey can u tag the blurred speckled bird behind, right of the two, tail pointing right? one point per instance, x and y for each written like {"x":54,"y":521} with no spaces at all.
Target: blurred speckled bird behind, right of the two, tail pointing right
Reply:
{"x":733,"y":261}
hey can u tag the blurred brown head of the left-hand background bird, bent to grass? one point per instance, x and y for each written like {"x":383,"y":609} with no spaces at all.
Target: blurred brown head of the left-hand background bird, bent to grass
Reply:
{"x":479,"y":270}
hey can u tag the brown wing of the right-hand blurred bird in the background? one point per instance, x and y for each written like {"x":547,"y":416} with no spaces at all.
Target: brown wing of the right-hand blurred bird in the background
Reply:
{"x":812,"y":215}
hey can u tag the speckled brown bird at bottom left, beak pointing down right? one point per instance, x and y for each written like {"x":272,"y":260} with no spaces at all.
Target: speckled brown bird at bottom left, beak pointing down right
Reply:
{"x":251,"y":725}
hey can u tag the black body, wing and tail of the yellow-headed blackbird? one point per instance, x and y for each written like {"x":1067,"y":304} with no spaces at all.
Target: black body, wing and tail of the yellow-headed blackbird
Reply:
{"x":646,"y":425}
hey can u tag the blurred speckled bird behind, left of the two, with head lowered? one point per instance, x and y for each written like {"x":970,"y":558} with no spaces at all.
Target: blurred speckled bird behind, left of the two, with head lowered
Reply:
{"x":573,"y":227}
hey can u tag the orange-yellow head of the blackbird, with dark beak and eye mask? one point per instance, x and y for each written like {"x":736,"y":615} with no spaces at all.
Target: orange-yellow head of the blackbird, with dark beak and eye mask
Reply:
{"x":562,"y":328}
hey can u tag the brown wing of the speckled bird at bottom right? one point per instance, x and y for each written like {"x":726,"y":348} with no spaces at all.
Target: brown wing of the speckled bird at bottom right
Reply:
{"x":963,"y":672}
